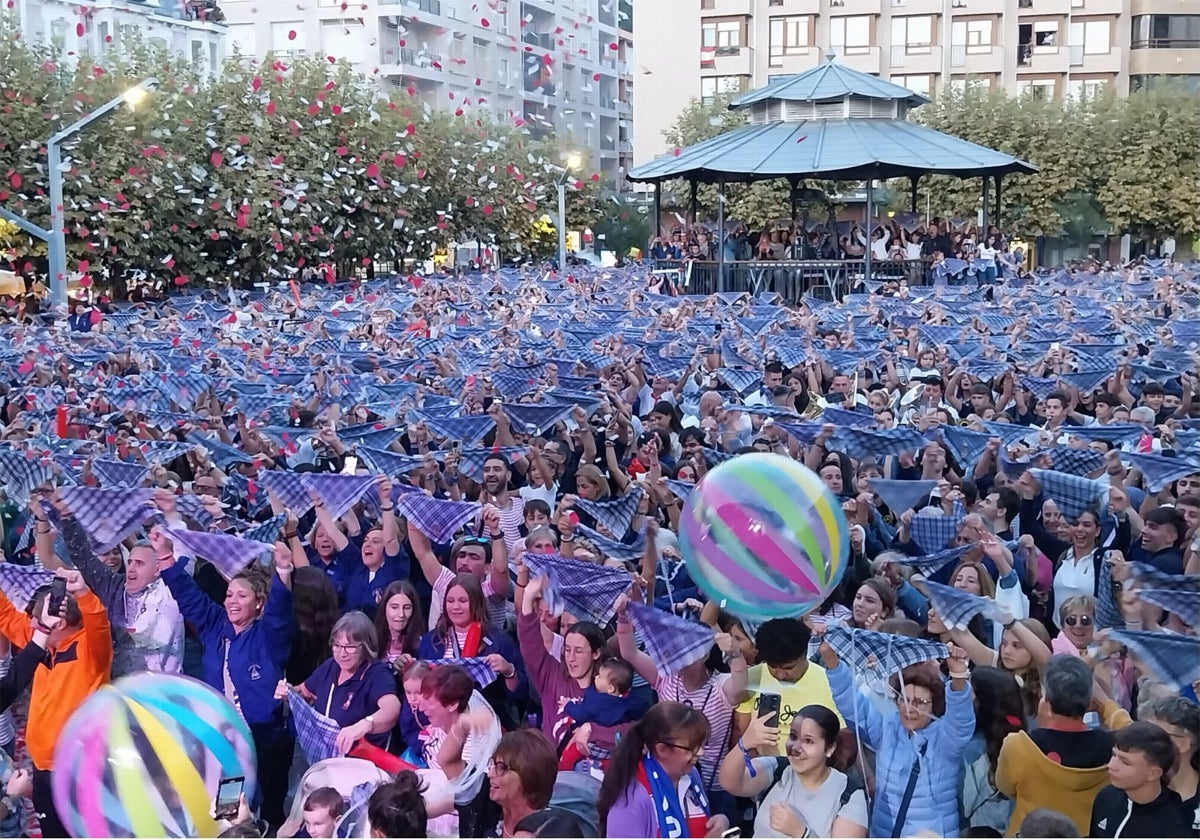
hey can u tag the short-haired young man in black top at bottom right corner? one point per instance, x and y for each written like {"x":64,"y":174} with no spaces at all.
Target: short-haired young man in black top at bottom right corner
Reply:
{"x":1137,"y":803}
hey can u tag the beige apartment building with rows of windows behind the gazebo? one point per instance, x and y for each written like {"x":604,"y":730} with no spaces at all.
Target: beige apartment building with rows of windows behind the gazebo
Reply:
{"x":701,"y":49}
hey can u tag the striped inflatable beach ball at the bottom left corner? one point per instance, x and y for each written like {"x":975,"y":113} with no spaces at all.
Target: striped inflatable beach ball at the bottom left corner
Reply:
{"x":143,"y":758}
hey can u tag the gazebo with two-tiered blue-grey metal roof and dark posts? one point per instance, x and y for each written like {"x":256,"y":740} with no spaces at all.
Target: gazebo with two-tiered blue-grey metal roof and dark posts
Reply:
{"x":831,"y":123}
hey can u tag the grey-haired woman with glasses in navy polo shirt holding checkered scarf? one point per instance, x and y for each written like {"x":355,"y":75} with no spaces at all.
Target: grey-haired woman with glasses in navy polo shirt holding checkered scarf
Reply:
{"x":353,"y":687}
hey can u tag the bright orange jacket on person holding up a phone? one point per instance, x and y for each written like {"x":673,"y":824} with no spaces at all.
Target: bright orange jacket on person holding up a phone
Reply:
{"x":79,"y":665}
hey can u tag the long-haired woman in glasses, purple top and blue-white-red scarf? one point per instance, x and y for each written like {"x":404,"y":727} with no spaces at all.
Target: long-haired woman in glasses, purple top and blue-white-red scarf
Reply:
{"x":652,"y":788}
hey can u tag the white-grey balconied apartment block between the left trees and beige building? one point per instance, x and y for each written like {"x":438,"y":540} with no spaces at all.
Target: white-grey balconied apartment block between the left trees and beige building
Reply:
{"x":561,"y":65}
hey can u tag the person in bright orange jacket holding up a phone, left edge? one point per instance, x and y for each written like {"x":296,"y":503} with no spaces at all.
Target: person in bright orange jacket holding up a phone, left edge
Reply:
{"x":79,"y":661}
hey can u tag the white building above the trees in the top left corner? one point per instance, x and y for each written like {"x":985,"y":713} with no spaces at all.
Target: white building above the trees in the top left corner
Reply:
{"x":191,"y":29}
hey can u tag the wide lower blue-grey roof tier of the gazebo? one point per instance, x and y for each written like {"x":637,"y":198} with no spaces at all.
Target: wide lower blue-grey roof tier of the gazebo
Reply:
{"x":847,"y":149}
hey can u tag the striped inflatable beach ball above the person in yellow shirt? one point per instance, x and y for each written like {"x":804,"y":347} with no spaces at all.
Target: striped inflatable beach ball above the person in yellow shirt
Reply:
{"x":764,"y":537}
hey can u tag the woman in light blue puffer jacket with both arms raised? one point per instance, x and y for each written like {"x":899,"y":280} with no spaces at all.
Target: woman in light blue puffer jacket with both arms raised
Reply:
{"x":920,"y":743}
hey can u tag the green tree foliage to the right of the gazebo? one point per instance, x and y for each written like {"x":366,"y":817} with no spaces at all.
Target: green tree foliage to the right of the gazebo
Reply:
{"x":1127,"y":164}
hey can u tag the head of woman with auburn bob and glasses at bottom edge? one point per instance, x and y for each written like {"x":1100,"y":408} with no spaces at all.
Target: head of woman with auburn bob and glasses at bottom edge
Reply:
{"x":521,"y":778}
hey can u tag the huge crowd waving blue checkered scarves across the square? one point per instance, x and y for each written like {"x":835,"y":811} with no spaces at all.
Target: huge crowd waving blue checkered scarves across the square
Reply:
{"x":429,"y":527}
